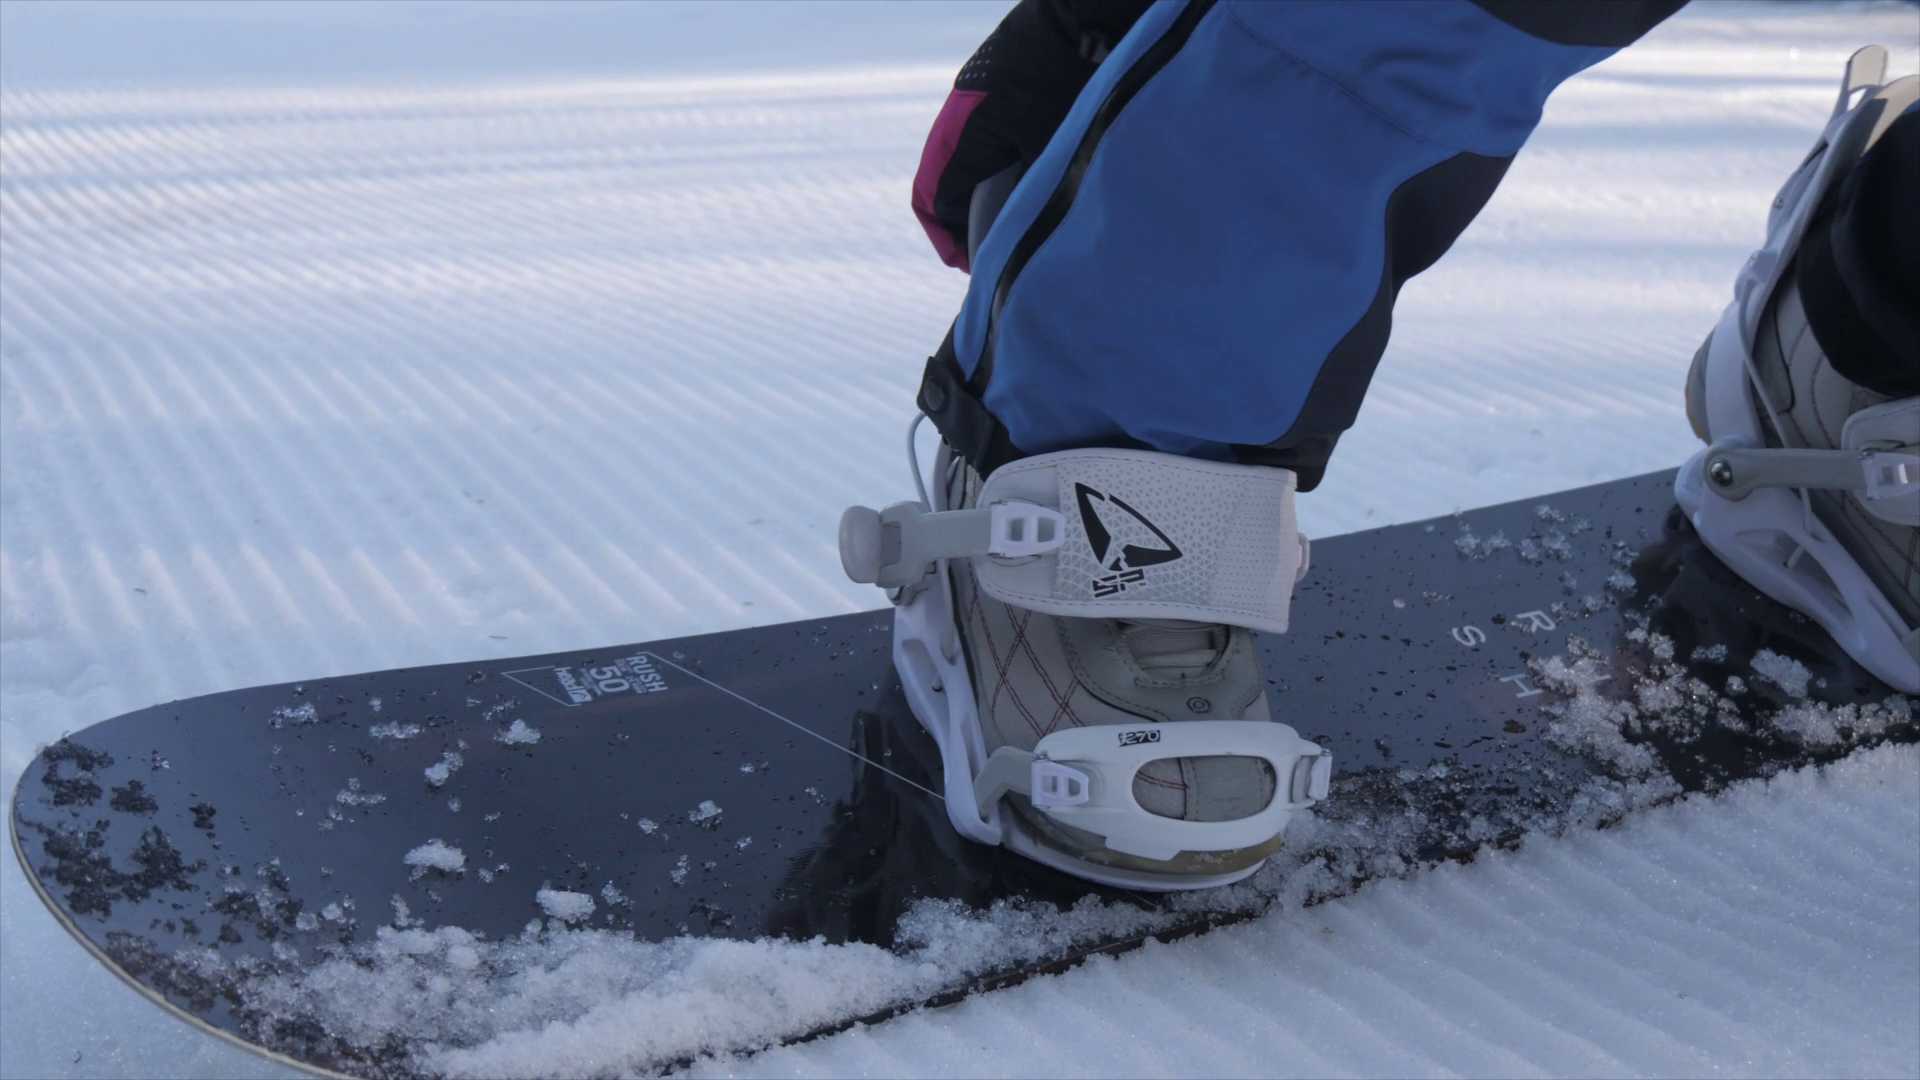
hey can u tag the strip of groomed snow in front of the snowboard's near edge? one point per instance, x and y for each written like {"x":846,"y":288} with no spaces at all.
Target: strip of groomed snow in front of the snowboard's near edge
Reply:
{"x":1714,"y":937}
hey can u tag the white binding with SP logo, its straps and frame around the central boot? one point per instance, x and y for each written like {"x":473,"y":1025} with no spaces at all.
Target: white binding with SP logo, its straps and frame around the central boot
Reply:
{"x":1036,"y":541}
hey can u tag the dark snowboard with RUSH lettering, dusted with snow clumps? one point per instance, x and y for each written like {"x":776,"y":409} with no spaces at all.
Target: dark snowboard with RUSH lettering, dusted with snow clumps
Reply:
{"x":1483,"y":677}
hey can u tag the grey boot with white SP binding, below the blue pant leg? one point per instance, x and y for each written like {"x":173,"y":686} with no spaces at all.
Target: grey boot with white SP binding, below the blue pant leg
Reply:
{"x":1076,"y":633}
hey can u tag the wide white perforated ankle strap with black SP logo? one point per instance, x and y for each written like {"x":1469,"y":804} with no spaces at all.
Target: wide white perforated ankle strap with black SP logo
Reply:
{"x":1151,"y":537}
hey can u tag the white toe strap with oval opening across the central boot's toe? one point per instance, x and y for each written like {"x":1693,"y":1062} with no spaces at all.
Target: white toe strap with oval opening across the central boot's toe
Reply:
{"x":1084,"y":777}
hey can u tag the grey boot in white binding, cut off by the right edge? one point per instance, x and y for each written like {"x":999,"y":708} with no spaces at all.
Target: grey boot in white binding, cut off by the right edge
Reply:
{"x":1812,"y":485}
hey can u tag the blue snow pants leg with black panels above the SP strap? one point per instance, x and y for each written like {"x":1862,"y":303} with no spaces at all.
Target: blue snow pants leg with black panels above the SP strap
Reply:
{"x":1205,"y":258}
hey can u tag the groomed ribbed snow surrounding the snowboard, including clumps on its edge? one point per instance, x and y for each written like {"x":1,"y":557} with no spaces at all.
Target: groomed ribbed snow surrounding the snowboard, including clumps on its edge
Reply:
{"x":339,"y":337}
